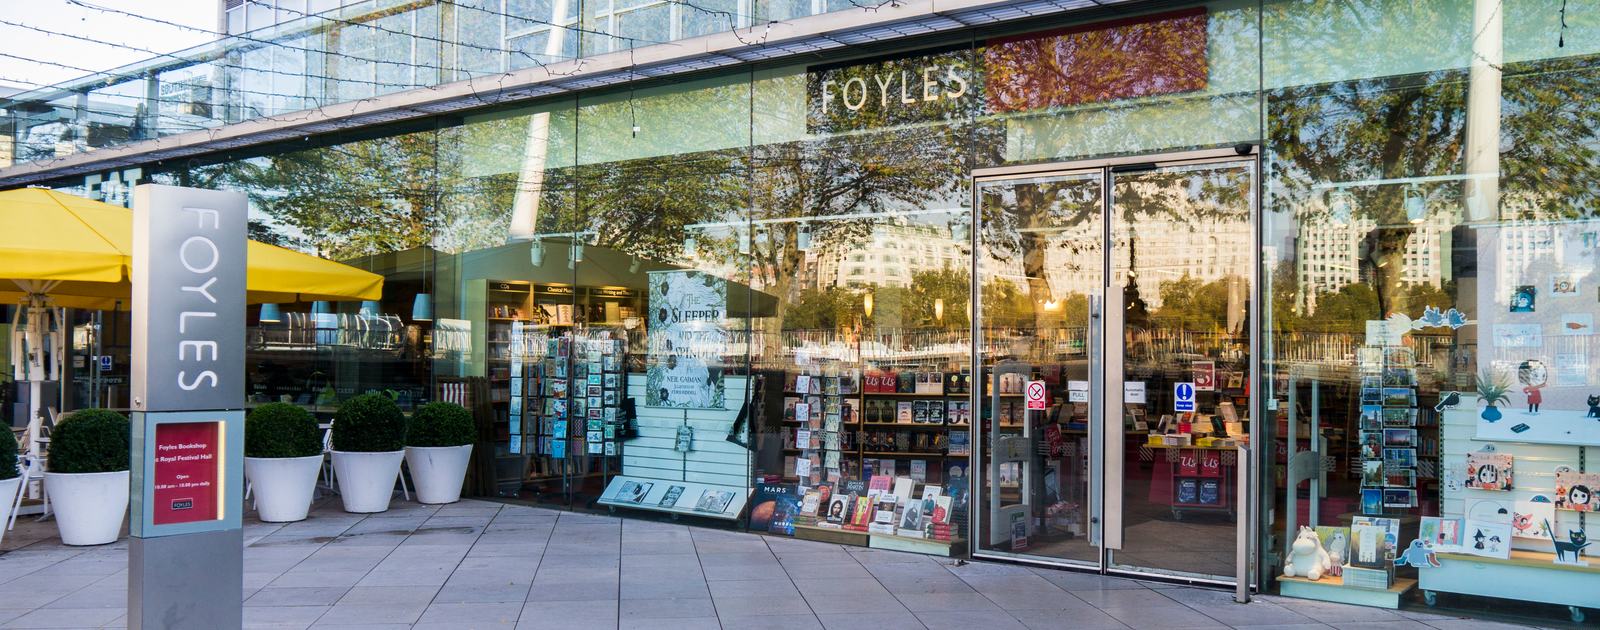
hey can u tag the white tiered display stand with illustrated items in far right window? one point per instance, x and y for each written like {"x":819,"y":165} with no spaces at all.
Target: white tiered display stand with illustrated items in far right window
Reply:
{"x":1530,"y":572}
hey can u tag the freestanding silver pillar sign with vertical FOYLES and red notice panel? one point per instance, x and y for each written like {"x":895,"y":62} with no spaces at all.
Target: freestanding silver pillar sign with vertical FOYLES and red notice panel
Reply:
{"x":186,"y":556}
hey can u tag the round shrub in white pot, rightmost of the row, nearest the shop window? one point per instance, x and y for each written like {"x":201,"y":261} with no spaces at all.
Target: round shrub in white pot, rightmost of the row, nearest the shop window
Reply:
{"x":438,"y":449}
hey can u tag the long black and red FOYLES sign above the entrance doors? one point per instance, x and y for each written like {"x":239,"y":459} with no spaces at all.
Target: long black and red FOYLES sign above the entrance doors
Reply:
{"x":1132,"y":58}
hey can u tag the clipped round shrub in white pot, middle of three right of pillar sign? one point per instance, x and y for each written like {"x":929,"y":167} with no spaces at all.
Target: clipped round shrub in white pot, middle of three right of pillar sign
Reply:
{"x":369,"y":444}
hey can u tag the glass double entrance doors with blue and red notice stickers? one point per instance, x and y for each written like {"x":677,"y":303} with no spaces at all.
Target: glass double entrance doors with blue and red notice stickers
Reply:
{"x":1116,"y":341}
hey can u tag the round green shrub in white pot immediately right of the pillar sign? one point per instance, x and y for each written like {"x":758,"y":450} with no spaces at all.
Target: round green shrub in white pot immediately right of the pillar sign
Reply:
{"x":282,"y":458}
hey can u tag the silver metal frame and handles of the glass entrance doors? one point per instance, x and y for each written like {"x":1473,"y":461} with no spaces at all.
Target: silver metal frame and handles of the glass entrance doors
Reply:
{"x":1106,"y":375}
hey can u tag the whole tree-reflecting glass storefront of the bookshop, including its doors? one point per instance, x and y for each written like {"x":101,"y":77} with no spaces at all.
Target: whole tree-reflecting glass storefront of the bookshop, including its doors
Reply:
{"x":1265,"y":260}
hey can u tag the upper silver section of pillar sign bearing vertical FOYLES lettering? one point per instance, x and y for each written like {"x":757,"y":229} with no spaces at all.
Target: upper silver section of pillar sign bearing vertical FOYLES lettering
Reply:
{"x":188,"y":298}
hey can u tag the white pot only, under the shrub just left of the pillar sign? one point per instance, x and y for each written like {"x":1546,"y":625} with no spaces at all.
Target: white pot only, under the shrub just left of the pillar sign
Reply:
{"x":90,"y":508}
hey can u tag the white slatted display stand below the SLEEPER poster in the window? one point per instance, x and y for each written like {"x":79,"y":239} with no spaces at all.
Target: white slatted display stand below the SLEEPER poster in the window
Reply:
{"x":708,"y":480}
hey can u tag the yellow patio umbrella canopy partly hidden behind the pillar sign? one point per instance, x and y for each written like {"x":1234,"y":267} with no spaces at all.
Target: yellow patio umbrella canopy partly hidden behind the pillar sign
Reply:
{"x":79,"y":253}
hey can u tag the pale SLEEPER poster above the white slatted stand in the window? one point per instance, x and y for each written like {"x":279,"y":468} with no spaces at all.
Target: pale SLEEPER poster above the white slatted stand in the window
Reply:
{"x":687,"y":340}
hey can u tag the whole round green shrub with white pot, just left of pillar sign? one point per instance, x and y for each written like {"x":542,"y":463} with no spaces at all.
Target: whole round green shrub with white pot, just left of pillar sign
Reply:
{"x":89,"y":476}
